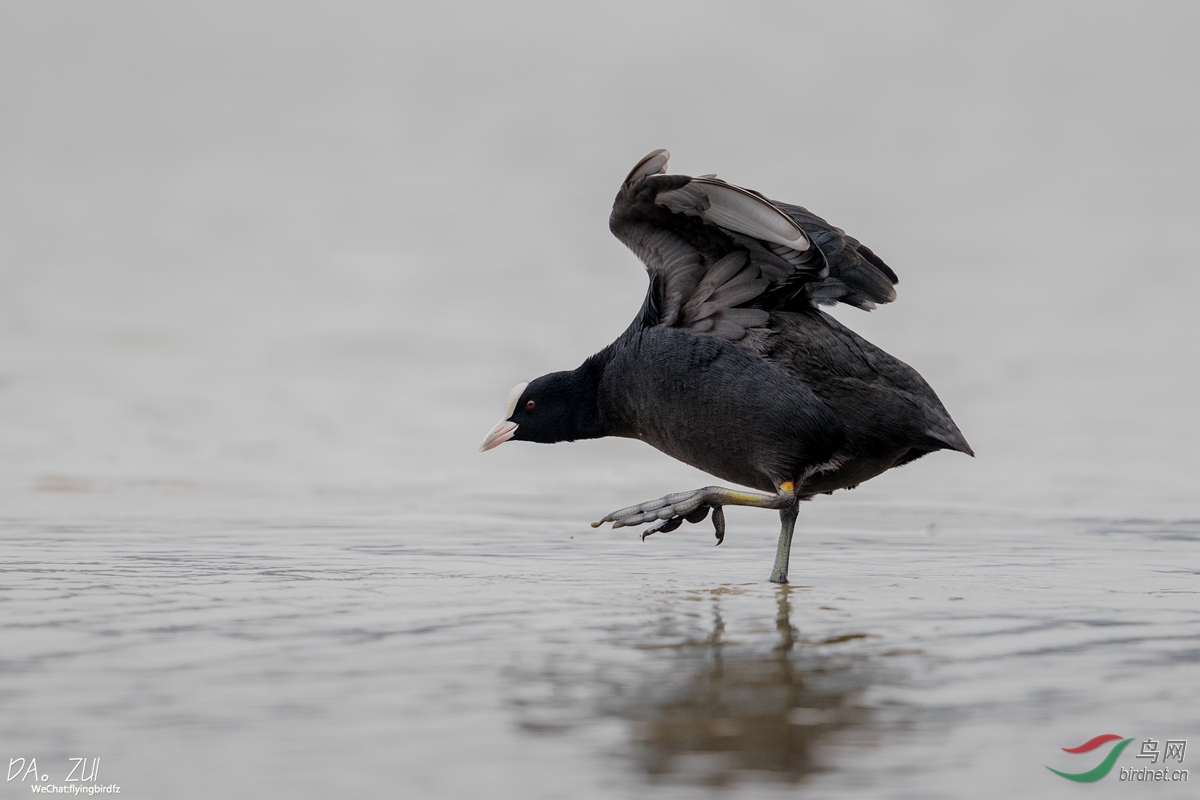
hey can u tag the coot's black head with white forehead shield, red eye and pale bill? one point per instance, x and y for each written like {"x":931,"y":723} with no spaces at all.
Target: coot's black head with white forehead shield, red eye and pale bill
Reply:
{"x":560,"y":407}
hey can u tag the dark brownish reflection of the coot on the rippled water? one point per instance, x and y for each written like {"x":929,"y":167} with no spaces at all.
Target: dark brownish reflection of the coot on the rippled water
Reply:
{"x":711,"y":712}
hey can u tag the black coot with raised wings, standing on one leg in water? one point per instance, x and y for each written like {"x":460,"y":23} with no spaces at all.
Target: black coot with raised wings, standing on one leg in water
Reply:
{"x":733,"y":368}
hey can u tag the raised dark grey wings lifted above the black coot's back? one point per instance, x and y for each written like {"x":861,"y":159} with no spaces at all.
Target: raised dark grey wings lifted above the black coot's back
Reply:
{"x":721,"y":257}
